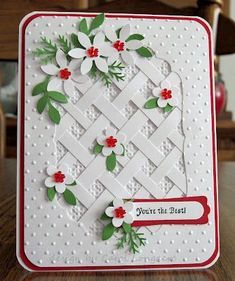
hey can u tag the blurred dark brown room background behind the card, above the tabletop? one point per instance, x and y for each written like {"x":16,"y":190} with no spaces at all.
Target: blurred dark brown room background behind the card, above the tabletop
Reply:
{"x":219,"y":13}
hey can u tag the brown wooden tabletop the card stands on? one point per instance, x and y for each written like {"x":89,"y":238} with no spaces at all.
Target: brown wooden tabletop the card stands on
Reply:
{"x":224,"y":269}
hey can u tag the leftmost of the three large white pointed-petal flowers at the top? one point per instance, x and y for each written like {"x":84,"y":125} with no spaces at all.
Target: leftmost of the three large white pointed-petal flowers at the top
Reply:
{"x":65,"y":73}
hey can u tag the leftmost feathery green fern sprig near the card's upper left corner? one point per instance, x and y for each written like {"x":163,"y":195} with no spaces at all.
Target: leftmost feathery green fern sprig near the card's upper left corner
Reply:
{"x":47,"y":52}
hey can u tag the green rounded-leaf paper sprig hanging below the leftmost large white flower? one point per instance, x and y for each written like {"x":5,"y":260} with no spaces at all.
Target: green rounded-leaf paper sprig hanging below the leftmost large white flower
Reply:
{"x":47,"y":100}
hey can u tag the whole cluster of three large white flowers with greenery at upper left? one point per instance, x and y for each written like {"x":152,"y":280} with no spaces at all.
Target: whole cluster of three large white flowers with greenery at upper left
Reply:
{"x":69,"y":60}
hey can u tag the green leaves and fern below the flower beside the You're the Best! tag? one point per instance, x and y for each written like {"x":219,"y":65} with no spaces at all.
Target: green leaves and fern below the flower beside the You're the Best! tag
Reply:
{"x":128,"y":235}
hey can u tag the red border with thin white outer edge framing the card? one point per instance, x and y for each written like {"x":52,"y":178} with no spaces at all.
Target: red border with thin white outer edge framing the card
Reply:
{"x":20,"y":251}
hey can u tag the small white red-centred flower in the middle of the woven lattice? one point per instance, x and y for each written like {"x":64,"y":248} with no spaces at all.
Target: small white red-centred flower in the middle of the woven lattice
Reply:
{"x":111,"y":142}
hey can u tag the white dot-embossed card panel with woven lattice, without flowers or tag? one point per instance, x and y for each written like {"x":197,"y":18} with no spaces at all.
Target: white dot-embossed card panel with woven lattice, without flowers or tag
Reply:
{"x":167,"y":154}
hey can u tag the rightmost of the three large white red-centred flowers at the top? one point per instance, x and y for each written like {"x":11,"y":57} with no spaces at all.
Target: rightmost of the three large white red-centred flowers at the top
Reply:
{"x":121,"y":47}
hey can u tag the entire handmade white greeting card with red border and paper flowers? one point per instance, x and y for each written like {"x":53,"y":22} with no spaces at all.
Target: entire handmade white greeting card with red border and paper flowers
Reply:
{"x":117,"y":166}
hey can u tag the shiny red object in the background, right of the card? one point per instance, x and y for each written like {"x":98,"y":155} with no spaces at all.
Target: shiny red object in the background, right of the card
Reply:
{"x":220,"y":95}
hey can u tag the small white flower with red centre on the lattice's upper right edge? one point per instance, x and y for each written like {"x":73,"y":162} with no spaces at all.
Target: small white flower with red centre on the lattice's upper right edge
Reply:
{"x":166,"y":94}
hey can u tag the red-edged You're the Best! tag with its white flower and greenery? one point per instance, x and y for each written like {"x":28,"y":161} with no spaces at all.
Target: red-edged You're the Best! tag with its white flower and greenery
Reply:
{"x":124,"y":216}
